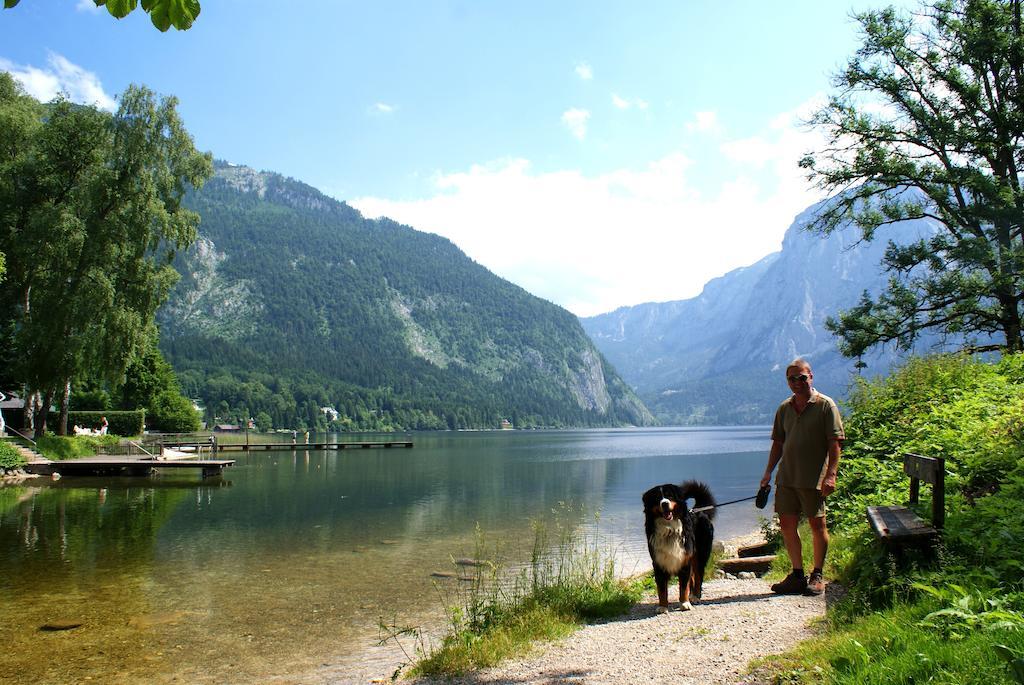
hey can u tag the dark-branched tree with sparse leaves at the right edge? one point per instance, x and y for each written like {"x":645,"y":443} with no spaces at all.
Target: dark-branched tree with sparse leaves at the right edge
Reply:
{"x":928,"y":122}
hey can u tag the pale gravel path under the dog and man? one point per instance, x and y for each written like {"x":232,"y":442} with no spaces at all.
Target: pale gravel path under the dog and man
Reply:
{"x":737,"y":622}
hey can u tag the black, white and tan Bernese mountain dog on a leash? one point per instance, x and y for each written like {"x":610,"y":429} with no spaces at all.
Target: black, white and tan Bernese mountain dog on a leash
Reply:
{"x":679,"y":540}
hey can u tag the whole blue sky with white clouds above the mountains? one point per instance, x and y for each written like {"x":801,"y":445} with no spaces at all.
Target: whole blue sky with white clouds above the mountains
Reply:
{"x":599,"y":154}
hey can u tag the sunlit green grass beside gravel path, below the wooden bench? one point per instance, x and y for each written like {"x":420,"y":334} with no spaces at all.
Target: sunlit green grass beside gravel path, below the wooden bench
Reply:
{"x":950,"y":635}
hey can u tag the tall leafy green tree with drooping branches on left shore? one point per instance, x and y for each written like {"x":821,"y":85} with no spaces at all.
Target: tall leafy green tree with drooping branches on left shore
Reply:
{"x":91,"y":216}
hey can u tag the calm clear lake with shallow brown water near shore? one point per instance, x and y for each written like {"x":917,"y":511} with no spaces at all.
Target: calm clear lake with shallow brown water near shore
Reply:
{"x":283,"y":570}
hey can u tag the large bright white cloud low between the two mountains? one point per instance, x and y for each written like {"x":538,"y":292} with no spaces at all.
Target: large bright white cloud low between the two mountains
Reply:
{"x":594,"y":243}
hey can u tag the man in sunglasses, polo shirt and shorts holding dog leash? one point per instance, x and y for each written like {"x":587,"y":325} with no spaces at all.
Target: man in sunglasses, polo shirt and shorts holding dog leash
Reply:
{"x":806,"y":439}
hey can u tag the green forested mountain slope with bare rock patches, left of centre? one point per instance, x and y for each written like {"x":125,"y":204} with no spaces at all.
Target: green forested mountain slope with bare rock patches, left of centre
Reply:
{"x":292,"y":302}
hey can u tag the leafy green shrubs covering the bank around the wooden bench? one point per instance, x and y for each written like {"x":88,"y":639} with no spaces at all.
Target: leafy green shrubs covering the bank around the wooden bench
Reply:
{"x":967,"y":411}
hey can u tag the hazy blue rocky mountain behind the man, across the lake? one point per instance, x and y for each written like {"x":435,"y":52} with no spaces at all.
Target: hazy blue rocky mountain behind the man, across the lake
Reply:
{"x":719,"y":358}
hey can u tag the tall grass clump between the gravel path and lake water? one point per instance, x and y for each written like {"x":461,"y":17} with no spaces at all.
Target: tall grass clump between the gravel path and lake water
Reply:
{"x":497,"y":612}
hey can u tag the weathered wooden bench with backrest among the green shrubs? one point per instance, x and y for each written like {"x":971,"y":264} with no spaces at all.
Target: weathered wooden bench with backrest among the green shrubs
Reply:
{"x":900,"y":527}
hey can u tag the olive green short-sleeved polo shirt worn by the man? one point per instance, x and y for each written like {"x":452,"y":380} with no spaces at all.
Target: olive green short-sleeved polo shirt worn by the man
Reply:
{"x":805,"y":440}
